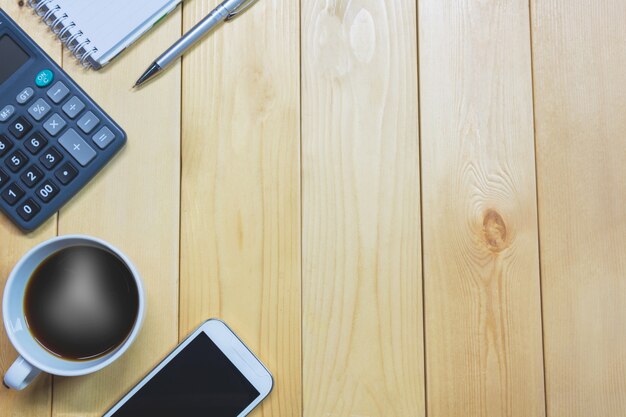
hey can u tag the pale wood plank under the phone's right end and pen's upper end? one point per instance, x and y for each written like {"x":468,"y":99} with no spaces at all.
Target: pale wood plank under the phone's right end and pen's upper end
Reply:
{"x":240,"y":228}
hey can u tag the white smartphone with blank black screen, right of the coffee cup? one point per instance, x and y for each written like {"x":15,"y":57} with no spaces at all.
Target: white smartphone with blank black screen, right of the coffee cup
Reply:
{"x":212,"y":373}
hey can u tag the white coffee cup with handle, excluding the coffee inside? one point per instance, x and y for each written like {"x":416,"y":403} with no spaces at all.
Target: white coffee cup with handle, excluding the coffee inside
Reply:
{"x":34,"y":358}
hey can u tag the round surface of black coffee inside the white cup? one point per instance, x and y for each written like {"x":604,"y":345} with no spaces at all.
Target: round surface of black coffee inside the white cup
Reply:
{"x":81,"y":303}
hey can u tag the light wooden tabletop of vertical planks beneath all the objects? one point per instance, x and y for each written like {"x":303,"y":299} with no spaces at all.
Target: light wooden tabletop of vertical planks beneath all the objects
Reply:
{"x":460,"y":257}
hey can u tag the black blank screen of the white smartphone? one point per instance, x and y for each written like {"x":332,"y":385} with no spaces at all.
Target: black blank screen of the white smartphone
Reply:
{"x":198,"y":382}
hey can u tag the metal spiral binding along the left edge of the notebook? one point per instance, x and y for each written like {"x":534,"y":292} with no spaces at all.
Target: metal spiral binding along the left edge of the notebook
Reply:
{"x":64,"y":29}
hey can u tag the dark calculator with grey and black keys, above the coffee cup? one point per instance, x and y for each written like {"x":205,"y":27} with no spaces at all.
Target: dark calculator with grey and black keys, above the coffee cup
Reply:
{"x":53,"y":137}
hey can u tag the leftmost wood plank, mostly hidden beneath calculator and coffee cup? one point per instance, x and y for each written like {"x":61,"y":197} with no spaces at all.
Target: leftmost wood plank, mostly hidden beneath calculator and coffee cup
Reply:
{"x":34,"y":401}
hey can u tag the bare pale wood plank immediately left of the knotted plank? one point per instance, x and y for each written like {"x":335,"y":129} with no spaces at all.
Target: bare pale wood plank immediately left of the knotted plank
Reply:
{"x":362,"y":299}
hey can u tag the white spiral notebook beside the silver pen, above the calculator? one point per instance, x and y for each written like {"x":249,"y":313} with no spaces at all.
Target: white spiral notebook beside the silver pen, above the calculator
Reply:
{"x":96,"y":31}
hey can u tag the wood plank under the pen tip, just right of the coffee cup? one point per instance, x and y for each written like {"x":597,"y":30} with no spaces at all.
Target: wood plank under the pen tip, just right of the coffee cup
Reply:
{"x":134,"y":204}
